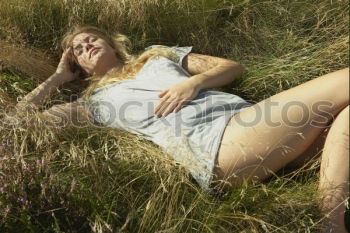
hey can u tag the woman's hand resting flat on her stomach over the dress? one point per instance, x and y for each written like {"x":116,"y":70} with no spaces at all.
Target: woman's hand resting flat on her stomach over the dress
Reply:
{"x":176,"y":96}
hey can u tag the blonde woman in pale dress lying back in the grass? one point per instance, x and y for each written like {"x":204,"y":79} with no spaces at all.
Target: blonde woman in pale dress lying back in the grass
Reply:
{"x":164,"y":95}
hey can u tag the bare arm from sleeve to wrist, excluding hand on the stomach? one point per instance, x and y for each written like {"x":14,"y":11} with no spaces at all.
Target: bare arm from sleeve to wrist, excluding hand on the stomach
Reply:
{"x":209,"y":71}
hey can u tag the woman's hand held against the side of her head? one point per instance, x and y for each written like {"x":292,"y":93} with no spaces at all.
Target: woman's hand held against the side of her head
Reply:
{"x":63,"y":71}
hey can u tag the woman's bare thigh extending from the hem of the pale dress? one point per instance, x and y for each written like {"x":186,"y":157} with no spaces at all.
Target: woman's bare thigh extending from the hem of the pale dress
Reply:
{"x":265,"y":137}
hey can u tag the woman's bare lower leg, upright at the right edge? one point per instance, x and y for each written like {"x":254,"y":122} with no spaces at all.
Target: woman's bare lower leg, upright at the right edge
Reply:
{"x":334,"y":176}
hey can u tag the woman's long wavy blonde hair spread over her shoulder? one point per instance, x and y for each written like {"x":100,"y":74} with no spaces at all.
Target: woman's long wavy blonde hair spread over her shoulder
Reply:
{"x":122,"y":45}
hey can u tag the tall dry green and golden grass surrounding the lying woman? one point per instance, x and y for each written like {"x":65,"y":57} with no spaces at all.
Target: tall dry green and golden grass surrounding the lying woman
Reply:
{"x":106,"y":180}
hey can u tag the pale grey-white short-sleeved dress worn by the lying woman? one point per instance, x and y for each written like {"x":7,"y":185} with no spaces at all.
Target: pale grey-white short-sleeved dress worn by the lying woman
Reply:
{"x":191,"y":136}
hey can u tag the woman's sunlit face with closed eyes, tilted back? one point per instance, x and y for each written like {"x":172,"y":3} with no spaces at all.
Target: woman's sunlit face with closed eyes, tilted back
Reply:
{"x":93,"y":54}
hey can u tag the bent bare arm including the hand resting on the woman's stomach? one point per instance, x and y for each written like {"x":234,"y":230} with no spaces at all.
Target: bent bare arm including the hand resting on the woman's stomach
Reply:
{"x":207,"y":72}
